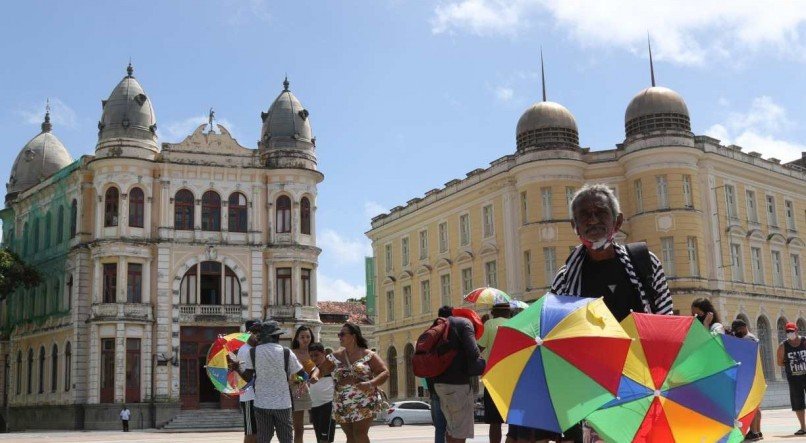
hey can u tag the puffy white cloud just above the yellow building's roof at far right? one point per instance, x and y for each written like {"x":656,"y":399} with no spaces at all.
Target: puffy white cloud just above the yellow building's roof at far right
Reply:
{"x":759,"y":130}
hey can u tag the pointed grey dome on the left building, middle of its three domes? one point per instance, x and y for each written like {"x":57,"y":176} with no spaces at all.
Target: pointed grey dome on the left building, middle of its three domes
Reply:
{"x":128,"y":114}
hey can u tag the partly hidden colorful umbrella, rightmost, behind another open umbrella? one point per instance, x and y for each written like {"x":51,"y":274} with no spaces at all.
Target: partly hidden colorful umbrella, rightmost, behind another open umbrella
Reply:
{"x":750,"y":383}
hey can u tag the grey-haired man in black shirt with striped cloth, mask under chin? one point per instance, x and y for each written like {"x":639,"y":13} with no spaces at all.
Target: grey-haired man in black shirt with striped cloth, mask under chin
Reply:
{"x":628,"y":277}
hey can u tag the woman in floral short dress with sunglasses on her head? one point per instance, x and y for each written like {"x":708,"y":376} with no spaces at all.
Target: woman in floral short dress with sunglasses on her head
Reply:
{"x":357,"y":372}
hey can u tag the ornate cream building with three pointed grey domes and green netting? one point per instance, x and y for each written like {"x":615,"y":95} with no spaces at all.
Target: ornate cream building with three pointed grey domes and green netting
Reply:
{"x":148,"y":252}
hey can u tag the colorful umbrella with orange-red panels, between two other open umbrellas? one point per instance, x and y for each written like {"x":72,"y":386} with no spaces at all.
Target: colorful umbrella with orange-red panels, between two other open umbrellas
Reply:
{"x":679,"y":384}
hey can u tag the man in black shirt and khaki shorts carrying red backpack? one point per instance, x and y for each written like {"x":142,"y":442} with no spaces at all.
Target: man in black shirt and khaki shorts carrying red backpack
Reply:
{"x":456,"y":396}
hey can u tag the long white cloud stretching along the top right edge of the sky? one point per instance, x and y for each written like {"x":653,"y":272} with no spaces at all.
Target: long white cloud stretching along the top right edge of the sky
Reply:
{"x":684,"y":32}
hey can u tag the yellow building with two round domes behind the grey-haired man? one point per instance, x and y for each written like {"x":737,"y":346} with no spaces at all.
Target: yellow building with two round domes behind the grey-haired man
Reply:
{"x":727,"y":224}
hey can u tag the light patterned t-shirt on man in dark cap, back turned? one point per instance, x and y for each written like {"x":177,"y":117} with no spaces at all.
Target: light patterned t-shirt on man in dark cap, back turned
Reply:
{"x":271,"y":385}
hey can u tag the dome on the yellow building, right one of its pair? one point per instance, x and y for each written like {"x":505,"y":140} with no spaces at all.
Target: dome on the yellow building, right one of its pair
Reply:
{"x":656,"y":108}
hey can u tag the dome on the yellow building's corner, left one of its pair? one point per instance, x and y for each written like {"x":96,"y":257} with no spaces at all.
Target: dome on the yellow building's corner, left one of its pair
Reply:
{"x":547,"y":125}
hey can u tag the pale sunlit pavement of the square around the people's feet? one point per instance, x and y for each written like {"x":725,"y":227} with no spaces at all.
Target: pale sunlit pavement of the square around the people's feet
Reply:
{"x":777,"y":425}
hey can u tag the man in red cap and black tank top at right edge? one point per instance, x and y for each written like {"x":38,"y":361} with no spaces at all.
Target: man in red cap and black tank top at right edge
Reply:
{"x":792,"y":356}
